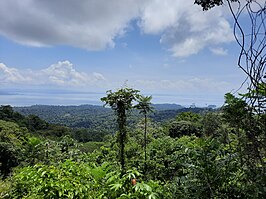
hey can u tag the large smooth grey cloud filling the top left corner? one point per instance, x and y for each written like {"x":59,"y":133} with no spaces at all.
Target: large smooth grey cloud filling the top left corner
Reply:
{"x":87,"y":24}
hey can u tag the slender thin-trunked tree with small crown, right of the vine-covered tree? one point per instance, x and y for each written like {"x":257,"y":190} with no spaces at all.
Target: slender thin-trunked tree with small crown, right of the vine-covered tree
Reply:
{"x":144,"y":107}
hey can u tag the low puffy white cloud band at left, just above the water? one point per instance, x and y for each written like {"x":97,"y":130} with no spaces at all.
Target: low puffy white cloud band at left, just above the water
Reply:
{"x":62,"y":74}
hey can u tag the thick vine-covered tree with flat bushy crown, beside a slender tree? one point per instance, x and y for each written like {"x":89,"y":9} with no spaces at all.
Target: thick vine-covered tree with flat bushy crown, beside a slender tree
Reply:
{"x":121,"y":102}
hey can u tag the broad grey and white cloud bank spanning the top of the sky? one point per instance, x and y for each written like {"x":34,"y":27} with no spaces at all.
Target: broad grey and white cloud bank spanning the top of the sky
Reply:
{"x":94,"y":24}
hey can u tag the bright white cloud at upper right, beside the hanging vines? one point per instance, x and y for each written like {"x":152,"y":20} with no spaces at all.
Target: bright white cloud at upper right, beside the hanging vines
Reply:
{"x":195,"y":30}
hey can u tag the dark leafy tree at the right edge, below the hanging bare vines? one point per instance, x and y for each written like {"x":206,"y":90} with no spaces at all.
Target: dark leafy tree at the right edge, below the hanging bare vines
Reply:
{"x":236,"y":113}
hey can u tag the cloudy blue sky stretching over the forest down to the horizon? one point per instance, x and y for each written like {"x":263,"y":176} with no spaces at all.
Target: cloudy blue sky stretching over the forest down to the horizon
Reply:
{"x":164,"y":48}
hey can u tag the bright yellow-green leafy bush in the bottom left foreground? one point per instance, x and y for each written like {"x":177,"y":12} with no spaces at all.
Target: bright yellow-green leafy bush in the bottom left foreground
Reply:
{"x":67,"y":180}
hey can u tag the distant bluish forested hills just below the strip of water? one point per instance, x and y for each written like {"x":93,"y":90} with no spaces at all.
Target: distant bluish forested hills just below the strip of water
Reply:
{"x":94,"y":116}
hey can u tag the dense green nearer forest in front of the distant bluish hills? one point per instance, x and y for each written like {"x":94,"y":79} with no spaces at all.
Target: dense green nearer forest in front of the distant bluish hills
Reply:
{"x":212,"y":154}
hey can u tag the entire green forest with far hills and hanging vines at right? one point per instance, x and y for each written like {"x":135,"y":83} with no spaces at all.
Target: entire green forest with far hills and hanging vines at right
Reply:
{"x":186,"y":153}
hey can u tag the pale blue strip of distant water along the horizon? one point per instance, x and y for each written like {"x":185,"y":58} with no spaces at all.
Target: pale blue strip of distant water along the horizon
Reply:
{"x":54,"y":97}
